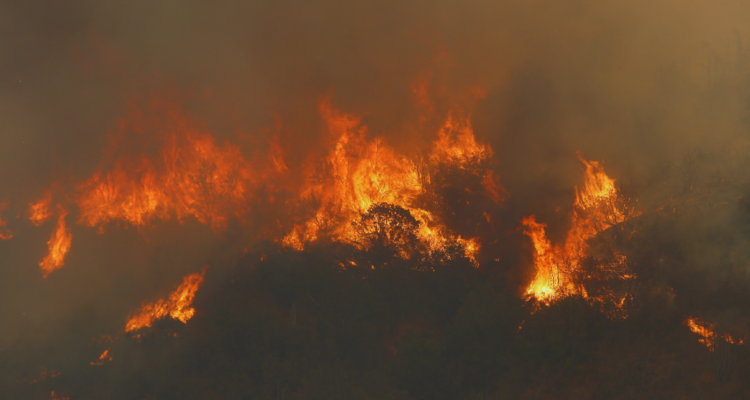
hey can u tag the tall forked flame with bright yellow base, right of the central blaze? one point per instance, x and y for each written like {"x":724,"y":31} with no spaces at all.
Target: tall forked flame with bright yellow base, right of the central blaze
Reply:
{"x":598,"y":206}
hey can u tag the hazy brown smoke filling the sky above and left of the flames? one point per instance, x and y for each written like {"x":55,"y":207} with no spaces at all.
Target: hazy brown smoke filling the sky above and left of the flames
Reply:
{"x":634,"y":83}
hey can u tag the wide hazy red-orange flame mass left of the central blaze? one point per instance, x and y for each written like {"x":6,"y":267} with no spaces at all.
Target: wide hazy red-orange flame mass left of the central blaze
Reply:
{"x":188,"y":175}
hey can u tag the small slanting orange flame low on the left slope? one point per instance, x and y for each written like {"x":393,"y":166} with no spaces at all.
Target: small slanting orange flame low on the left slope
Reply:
{"x":178,"y":305}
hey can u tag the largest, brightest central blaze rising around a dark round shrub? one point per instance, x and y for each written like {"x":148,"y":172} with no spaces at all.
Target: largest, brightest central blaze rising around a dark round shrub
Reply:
{"x":358,"y":173}
